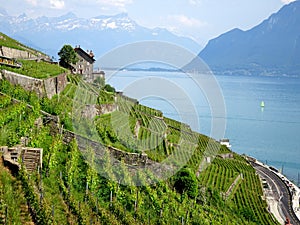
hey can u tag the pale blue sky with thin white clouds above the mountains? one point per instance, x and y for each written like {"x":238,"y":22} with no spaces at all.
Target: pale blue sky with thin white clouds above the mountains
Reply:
{"x":201,"y":20}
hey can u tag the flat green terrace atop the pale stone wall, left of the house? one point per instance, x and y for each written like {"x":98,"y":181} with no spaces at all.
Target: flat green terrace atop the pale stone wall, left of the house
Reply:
{"x":40,"y":70}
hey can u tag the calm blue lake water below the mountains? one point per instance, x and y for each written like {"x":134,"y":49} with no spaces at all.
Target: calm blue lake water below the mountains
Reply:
{"x":271,"y":134}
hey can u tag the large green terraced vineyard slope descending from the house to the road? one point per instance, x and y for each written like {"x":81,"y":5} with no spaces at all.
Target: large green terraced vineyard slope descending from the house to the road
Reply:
{"x":68,"y":190}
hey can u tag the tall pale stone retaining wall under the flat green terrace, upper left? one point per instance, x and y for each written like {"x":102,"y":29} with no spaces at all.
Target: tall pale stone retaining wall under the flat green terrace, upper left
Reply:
{"x":47,"y":87}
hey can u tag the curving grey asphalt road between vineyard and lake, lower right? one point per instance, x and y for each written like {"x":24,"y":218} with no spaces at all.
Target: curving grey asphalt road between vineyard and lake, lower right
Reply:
{"x":280,"y":190}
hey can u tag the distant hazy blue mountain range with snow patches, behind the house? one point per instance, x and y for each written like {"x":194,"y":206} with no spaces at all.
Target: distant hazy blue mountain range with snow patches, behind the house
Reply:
{"x":101,"y":33}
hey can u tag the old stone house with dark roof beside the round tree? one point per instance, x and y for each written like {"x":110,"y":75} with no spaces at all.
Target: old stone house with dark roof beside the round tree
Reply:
{"x":85,"y":64}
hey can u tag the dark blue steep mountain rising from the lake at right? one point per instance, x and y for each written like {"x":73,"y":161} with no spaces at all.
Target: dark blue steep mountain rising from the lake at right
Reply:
{"x":270,"y":48}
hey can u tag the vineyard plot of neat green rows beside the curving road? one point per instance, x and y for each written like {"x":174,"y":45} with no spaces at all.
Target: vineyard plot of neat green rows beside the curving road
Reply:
{"x":246,"y":195}
